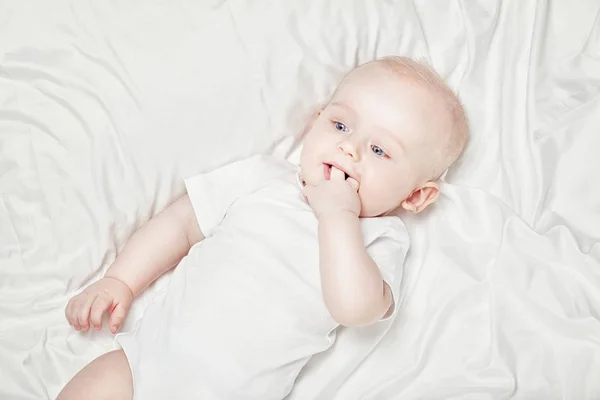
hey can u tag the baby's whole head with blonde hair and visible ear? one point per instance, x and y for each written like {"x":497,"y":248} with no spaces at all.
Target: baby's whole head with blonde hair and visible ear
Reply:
{"x":395,"y":127}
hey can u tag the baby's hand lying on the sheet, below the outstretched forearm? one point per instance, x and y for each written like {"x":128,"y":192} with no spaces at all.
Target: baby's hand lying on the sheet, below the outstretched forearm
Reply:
{"x":107,"y":295}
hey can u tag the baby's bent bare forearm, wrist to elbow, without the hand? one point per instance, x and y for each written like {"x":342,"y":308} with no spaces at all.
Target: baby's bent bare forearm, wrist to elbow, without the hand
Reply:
{"x":353,"y":288}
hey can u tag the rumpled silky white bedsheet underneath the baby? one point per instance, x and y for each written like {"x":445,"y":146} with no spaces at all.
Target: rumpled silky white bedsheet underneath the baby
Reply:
{"x":106,"y":106}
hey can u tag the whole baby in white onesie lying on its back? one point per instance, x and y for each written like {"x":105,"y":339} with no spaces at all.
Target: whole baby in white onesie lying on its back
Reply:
{"x":273,"y":257}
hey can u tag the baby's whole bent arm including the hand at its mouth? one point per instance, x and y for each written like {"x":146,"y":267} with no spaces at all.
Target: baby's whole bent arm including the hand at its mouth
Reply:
{"x":353,"y":289}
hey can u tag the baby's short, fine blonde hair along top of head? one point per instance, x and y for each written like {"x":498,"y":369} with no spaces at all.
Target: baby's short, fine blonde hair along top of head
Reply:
{"x":454,"y":141}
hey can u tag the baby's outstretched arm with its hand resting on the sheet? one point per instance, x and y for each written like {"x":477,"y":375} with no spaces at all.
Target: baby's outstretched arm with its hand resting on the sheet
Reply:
{"x":154,"y":249}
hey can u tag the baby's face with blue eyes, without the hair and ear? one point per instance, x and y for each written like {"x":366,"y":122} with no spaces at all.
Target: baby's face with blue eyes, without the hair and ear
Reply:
{"x":375,"y":129}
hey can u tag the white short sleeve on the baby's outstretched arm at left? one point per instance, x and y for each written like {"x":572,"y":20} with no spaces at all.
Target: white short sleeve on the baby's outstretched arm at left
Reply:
{"x":212,"y":193}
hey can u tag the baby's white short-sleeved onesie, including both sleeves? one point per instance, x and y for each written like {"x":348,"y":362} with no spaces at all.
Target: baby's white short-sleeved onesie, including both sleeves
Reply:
{"x":243,"y":312}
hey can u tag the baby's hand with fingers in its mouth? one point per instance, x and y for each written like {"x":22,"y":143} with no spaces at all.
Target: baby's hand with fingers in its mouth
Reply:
{"x":334,"y":195}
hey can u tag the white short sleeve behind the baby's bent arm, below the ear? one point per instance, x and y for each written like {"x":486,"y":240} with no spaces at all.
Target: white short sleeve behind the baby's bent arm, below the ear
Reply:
{"x":388,"y":250}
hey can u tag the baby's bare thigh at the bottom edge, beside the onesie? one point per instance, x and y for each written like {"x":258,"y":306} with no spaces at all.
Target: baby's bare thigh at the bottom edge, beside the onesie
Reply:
{"x":107,"y":377}
